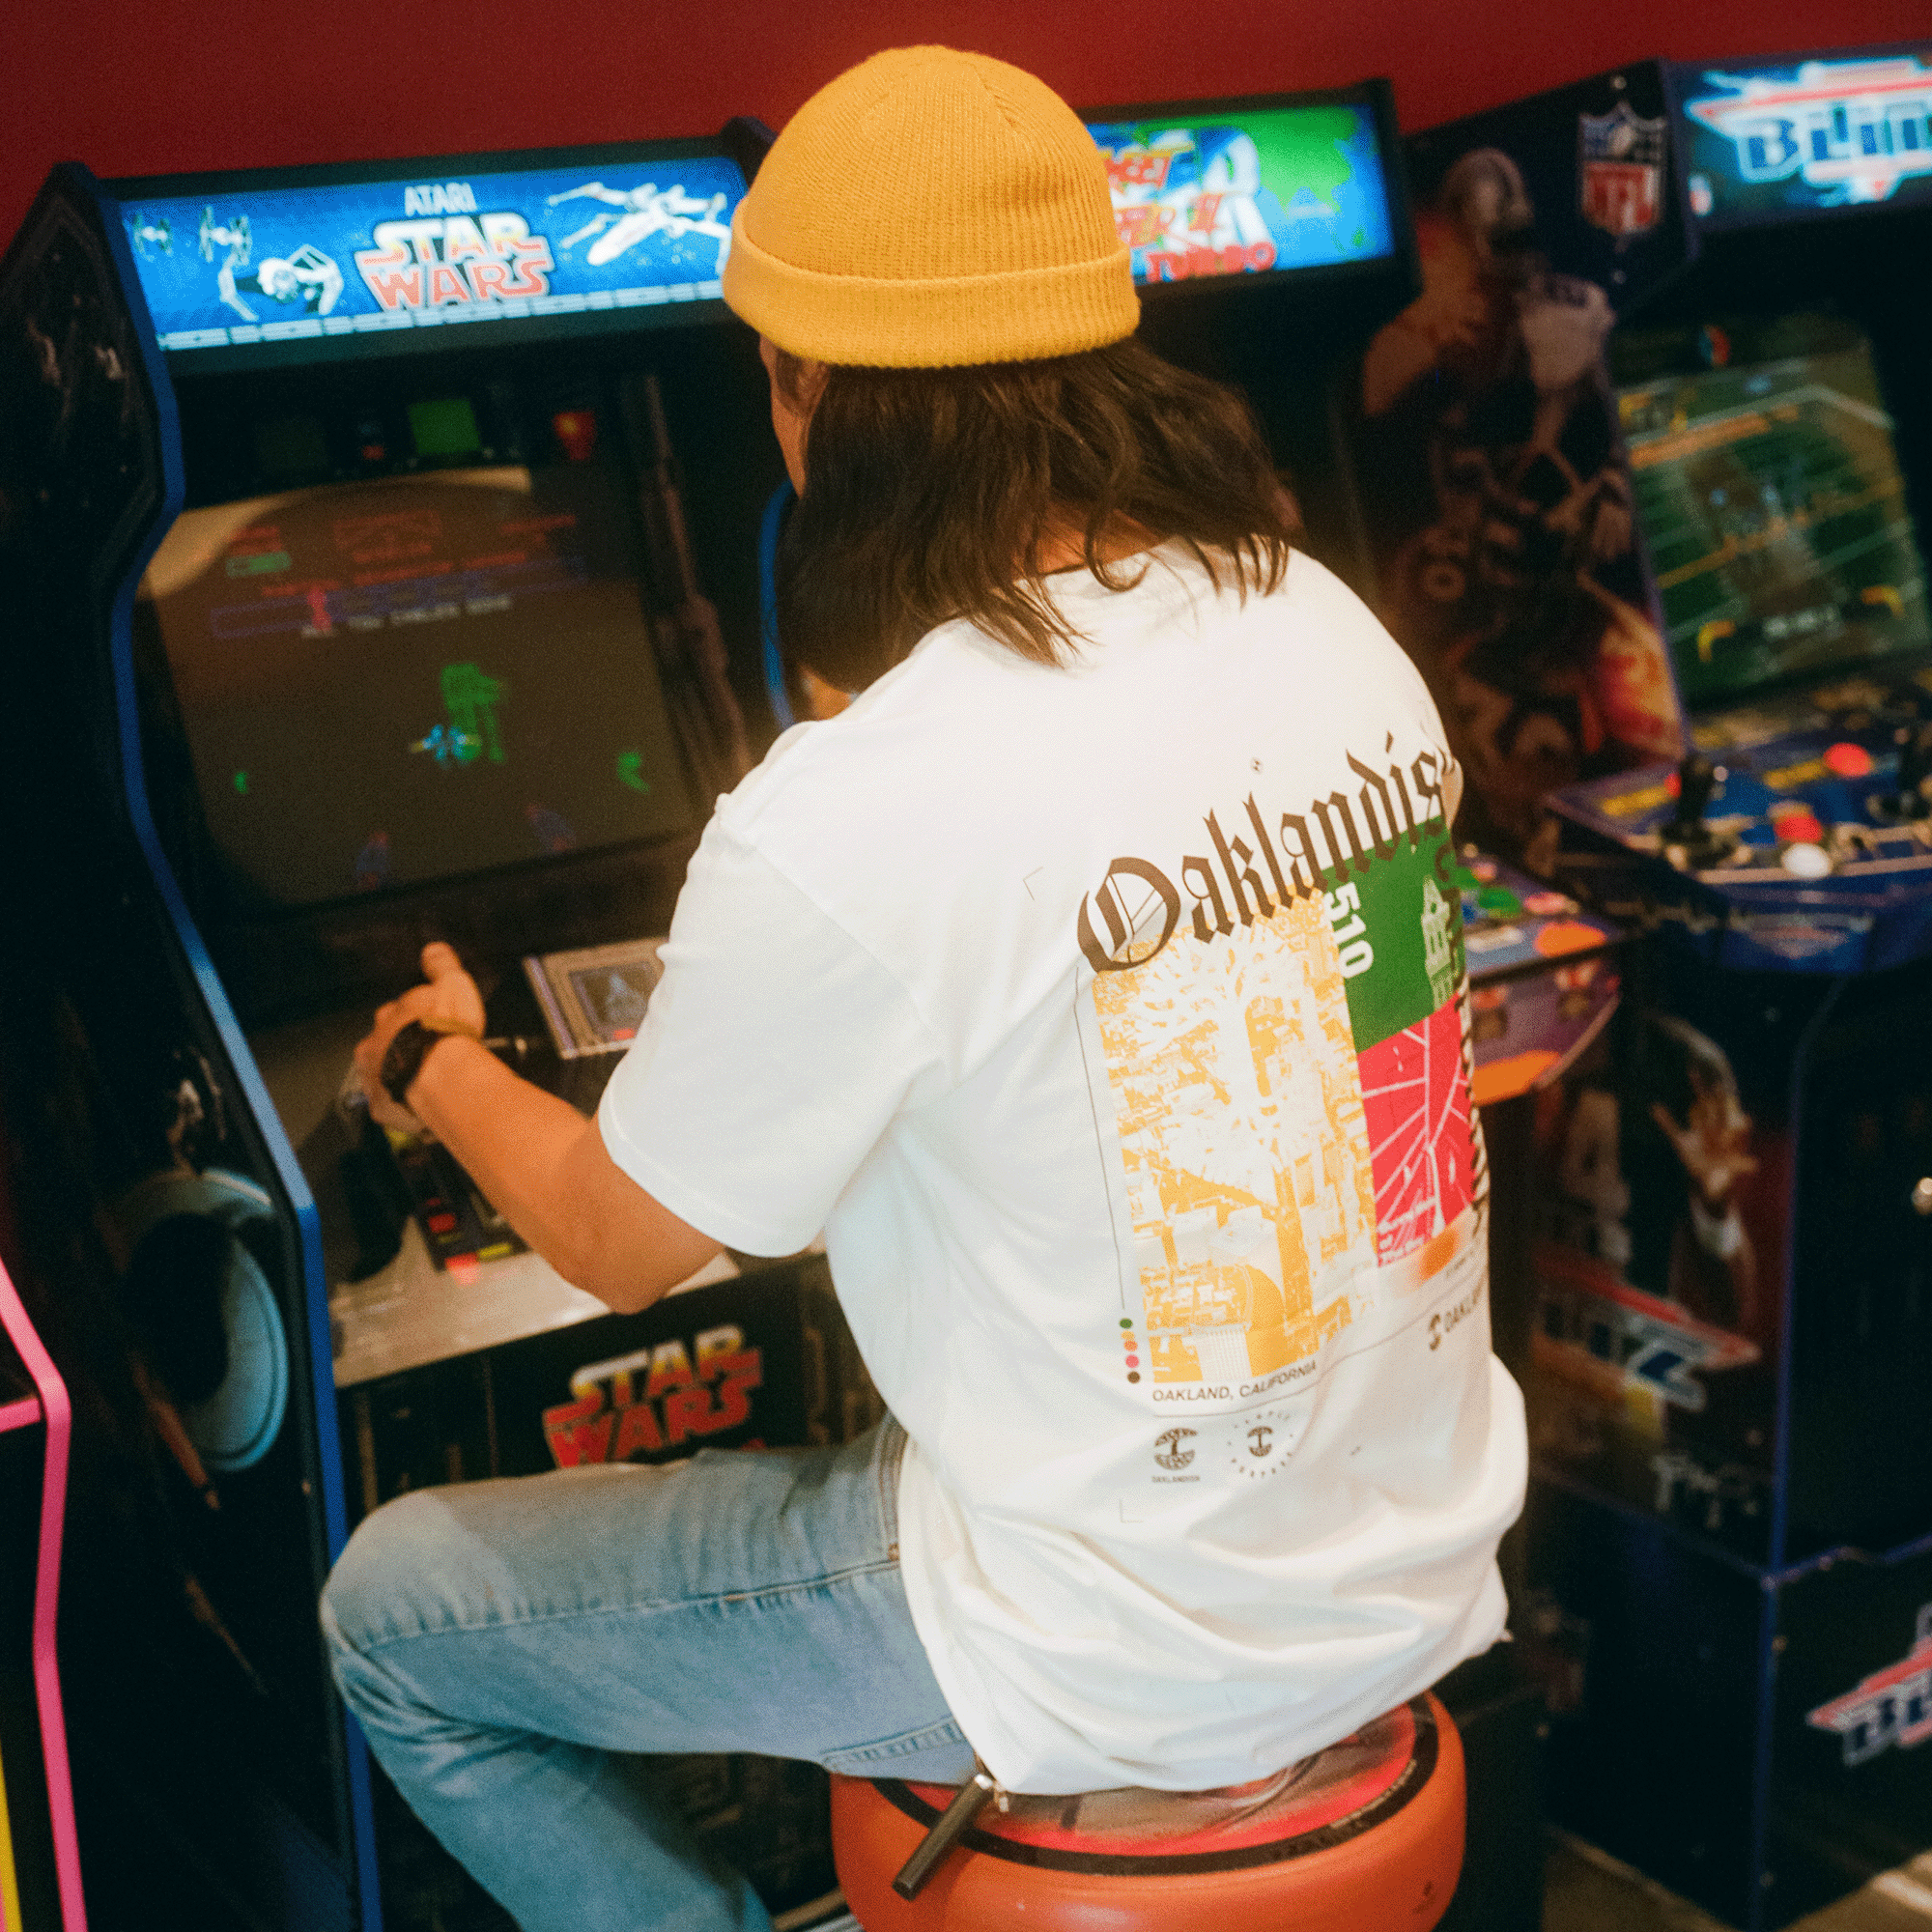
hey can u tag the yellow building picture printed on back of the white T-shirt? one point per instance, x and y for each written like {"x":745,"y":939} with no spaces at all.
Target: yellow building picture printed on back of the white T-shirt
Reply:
{"x":1237,"y":1100}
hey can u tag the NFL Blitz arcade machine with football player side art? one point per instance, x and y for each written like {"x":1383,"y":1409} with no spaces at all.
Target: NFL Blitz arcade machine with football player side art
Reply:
{"x":1661,"y":428}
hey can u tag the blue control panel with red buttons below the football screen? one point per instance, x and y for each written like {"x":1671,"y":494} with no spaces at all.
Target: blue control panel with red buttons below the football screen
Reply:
{"x":1792,"y":838}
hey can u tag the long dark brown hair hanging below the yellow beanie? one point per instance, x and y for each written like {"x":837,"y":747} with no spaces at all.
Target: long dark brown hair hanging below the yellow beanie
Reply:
{"x":930,"y":496}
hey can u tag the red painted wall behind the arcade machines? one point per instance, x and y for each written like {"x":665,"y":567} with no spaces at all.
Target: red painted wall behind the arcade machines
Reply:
{"x":167,"y":86}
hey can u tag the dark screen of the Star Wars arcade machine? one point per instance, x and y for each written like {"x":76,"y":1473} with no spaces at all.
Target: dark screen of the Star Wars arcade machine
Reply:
{"x":412,"y":679}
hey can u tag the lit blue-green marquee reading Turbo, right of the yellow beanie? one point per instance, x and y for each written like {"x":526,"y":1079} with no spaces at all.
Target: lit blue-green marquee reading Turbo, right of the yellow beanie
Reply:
{"x":1247,"y":188}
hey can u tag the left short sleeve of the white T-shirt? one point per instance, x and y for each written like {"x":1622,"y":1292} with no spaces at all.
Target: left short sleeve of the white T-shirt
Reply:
{"x":774,"y":1058}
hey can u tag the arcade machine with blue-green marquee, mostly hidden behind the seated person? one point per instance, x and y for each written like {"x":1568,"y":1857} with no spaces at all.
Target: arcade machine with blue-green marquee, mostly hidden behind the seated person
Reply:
{"x":1222,"y":202}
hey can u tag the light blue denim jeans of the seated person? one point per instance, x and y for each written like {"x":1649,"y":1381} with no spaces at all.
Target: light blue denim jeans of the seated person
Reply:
{"x":501,"y":1639}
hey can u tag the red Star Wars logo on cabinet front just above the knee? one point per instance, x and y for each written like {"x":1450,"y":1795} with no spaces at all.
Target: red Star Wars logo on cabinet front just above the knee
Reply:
{"x":656,"y":1400}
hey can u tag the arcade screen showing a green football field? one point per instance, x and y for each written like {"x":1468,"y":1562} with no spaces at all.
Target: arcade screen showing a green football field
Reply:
{"x":1773,"y":503}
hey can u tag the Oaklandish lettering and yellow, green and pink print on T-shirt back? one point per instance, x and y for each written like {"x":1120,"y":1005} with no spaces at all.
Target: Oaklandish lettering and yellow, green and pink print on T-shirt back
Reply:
{"x":1282,"y":1065}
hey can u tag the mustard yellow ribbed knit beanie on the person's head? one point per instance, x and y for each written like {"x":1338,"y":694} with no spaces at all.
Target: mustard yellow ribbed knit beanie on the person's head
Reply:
{"x":932,"y":210}
